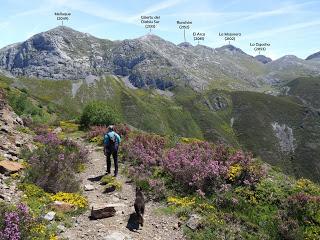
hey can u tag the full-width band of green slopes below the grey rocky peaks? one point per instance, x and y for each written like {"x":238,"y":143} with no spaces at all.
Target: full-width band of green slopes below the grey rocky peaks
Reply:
{"x":188,"y":114}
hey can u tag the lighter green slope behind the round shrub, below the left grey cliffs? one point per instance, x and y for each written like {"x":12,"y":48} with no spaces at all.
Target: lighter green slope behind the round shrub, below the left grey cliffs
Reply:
{"x":142,"y":109}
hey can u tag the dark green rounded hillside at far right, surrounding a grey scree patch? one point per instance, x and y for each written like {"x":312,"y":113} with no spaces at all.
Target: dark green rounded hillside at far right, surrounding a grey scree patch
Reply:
{"x":254,"y":114}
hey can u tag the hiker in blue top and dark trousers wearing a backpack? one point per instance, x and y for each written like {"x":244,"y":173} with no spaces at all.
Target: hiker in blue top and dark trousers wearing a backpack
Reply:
{"x":111,"y":143}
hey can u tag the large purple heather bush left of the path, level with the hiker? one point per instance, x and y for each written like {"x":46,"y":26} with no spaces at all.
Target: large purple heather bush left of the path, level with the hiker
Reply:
{"x":54,"y":163}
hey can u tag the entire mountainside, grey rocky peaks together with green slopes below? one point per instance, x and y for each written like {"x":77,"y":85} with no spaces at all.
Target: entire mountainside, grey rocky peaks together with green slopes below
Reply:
{"x":270,"y":108}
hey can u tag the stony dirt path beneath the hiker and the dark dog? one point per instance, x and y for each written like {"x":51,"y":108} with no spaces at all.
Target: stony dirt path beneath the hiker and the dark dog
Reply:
{"x":157,"y":226}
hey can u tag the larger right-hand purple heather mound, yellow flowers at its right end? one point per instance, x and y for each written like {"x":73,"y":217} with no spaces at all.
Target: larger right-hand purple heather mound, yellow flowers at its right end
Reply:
{"x":206,"y":167}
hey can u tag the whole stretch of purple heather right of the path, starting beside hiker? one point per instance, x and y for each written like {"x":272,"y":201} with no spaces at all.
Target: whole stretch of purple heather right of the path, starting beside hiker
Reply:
{"x":198,"y":166}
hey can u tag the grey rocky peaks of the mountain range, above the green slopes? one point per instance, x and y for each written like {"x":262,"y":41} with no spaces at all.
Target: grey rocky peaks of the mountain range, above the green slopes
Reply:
{"x":148,"y":61}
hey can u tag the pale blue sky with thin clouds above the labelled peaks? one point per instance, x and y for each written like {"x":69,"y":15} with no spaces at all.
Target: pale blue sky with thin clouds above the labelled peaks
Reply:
{"x":289,"y":26}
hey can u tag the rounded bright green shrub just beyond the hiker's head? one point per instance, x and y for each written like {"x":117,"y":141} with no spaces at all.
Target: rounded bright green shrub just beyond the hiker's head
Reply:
{"x":99,"y":113}
